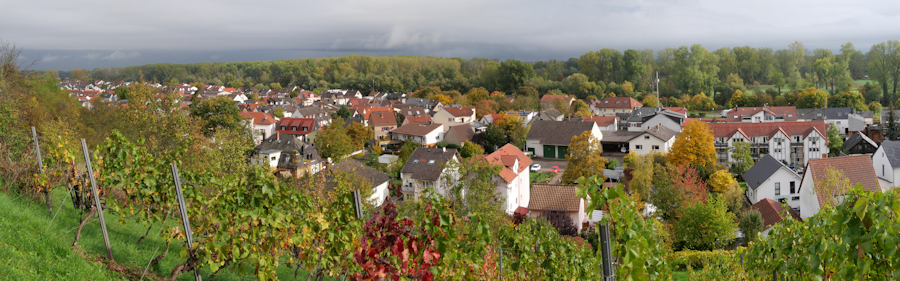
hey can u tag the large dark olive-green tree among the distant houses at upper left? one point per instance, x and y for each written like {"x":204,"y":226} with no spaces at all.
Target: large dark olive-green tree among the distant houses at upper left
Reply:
{"x":218,"y":112}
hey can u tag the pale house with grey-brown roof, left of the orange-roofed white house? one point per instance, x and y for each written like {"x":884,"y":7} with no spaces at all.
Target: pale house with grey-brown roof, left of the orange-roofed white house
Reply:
{"x":428,"y":168}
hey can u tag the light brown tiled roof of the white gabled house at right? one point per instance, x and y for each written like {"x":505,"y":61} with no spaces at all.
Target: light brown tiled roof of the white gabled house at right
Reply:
{"x":857,"y":169}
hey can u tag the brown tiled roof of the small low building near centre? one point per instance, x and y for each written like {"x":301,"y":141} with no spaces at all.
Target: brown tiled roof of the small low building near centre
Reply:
{"x":554,"y":197}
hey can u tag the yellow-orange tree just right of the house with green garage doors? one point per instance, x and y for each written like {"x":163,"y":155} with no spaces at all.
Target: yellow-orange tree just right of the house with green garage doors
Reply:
{"x":583,"y":156}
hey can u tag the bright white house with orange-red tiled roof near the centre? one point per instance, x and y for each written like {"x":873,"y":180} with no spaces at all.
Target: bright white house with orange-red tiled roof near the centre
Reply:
{"x":513,"y":181}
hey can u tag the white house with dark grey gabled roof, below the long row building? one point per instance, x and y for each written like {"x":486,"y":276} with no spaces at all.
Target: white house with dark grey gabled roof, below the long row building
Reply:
{"x":771,"y":179}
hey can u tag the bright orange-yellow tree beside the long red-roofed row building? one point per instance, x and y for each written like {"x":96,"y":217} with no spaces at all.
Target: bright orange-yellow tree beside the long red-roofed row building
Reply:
{"x":694,"y":145}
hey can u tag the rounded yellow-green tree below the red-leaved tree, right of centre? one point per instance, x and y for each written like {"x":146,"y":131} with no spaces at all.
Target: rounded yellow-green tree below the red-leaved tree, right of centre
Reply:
{"x":704,"y":226}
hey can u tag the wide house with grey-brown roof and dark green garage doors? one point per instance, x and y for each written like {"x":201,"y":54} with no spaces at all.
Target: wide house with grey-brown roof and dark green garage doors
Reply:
{"x":551,"y":139}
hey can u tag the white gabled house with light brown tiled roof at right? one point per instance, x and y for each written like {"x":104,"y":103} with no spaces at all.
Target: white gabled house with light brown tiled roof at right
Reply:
{"x":857,"y":169}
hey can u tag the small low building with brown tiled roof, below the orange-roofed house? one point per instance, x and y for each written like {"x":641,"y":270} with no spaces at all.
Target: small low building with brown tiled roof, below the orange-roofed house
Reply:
{"x":556,"y":198}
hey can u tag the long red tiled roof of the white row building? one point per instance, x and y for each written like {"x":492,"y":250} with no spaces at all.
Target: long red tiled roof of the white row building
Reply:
{"x":765,"y":129}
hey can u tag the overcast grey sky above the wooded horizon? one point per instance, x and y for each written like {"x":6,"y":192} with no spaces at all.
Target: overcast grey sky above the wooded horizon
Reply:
{"x":92,"y":34}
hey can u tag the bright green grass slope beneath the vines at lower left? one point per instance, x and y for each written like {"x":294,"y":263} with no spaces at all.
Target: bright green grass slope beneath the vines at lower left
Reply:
{"x":29,"y":250}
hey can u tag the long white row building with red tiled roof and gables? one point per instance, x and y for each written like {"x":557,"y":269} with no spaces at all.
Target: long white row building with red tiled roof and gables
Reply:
{"x":792,"y":143}
